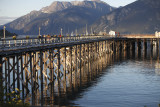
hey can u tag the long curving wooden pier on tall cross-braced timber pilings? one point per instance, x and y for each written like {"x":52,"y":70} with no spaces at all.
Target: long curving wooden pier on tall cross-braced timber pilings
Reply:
{"x":41,"y":67}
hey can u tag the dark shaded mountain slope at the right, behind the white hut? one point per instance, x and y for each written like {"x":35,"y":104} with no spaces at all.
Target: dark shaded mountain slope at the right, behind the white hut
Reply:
{"x":141,"y":16}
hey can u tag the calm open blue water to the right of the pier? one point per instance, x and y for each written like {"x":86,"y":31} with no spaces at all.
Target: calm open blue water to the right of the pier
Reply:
{"x":126,"y":82}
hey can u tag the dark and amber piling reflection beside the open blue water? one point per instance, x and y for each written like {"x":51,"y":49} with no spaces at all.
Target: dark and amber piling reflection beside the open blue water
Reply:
{"x":89,"y":77}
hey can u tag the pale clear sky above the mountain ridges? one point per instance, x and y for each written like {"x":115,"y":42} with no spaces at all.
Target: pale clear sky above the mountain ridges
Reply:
{"x":17,"y":8}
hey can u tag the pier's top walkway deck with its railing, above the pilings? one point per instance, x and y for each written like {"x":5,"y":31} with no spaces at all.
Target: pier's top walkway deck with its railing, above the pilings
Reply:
{"x":10,"y":46}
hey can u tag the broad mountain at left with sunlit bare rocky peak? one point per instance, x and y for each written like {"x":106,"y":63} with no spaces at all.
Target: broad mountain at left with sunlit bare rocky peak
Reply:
{"x":66,"y":15}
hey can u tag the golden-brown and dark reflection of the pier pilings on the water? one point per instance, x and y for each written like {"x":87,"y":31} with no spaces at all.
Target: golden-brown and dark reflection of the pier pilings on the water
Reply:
{"x":90,"y":72}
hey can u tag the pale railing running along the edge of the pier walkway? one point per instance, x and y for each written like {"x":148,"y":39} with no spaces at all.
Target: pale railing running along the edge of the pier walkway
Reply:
{"x":24,"y":42}
